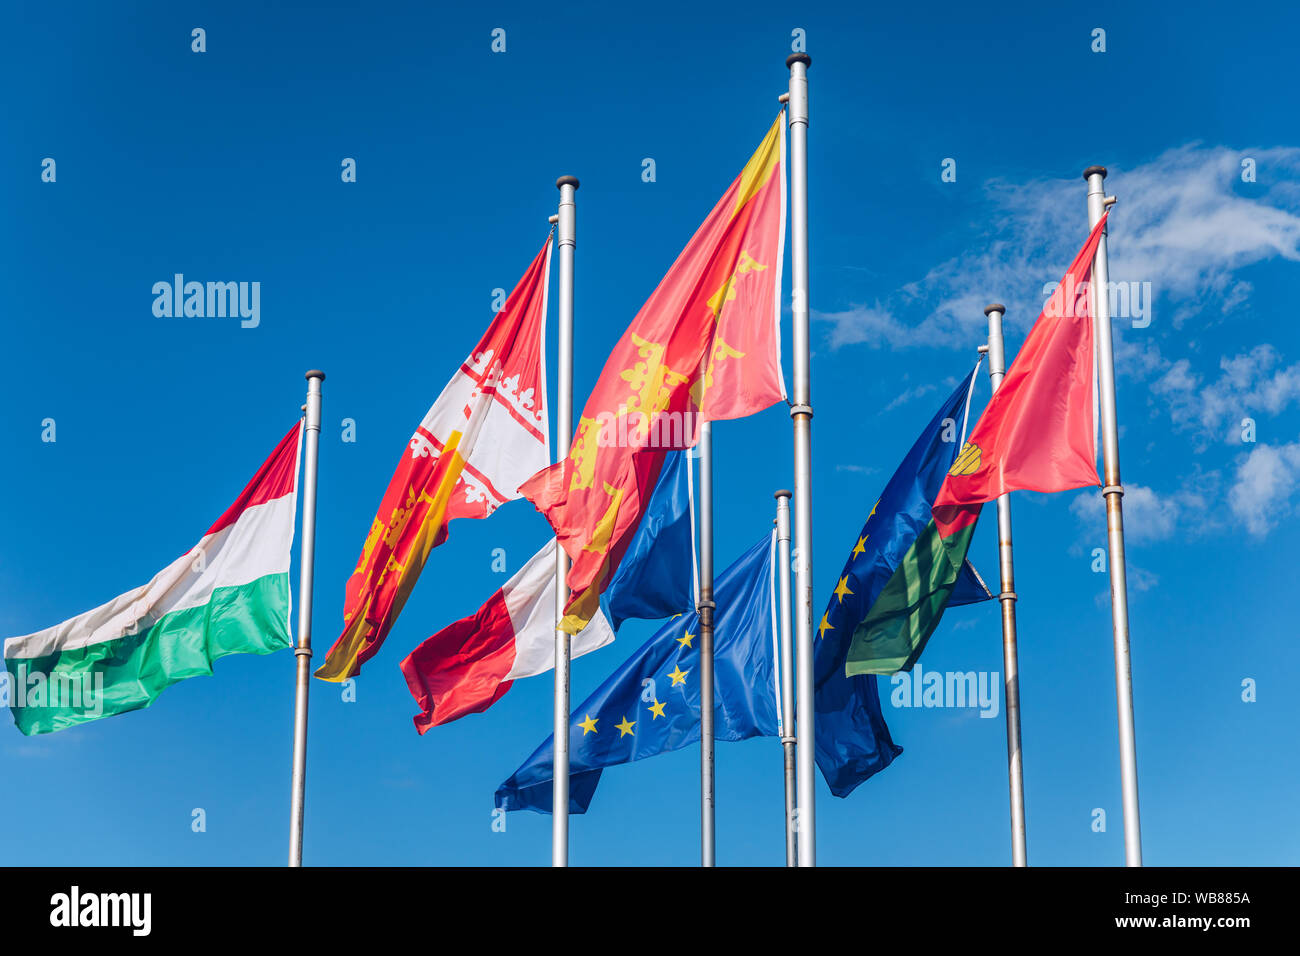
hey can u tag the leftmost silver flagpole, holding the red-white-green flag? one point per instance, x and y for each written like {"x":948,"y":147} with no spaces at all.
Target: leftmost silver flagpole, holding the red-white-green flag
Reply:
{"x":304,"y":652}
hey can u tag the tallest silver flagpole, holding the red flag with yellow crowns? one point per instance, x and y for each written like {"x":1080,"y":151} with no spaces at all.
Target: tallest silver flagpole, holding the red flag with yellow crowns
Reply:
{"x":801,"y":413}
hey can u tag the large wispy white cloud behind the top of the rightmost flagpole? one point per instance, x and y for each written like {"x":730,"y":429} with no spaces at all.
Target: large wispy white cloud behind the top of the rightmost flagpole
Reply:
{"x":1186,"y":224}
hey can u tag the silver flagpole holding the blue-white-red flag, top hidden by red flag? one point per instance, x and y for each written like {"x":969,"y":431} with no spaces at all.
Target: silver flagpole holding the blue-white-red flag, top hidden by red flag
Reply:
{"x":708,"y":840}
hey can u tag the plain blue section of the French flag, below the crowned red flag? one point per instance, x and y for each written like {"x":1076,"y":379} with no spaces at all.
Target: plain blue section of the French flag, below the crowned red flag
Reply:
{"x":655,"y":578}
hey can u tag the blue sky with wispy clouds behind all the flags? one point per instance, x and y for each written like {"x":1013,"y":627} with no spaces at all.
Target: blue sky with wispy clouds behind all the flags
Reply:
{"x":226,"y":166}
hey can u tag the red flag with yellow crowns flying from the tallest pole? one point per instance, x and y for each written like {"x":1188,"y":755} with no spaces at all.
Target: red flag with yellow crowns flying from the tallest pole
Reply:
{"x":705,"y":347}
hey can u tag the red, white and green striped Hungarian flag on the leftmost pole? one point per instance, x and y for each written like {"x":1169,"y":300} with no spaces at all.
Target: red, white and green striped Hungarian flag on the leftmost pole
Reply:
{"x":228,"y":595}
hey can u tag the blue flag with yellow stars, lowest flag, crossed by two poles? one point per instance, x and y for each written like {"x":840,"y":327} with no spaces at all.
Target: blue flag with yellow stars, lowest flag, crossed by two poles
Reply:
{"x":652,"y":703}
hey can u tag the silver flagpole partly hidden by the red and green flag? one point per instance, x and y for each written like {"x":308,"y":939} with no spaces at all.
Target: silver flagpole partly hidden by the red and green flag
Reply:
{"x":1011,"y":657}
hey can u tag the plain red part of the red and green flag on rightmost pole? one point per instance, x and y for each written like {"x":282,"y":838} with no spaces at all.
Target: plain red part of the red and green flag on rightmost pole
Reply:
{"x":1039,"y":431}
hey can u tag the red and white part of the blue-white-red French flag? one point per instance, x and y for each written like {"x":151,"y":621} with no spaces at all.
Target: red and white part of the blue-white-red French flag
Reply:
{"x":469,"y":665}
